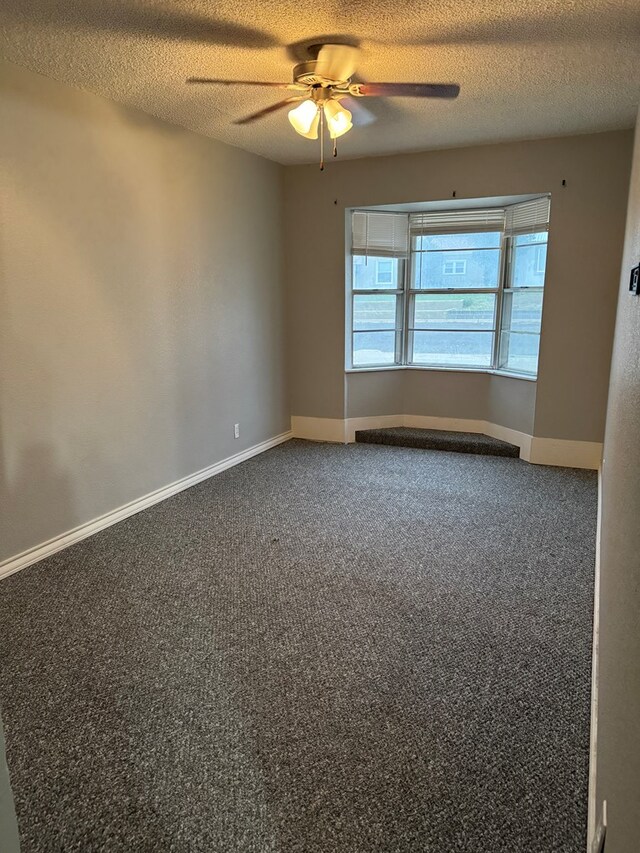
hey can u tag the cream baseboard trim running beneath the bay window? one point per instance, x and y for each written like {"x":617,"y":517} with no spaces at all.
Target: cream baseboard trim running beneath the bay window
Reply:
{"x":539,"y":451}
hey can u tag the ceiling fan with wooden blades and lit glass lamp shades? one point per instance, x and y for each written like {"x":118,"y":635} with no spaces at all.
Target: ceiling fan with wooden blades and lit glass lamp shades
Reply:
{"x":321,"y":85}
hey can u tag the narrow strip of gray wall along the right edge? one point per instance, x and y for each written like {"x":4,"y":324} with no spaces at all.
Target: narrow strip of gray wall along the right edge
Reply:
{"x":618,"y":757}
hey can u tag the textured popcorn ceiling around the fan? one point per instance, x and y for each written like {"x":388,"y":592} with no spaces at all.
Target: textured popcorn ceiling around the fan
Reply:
{"x":527,"y":69}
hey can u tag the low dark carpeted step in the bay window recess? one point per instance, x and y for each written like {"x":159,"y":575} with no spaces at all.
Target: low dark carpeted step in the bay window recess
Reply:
{"x":439,"y":439}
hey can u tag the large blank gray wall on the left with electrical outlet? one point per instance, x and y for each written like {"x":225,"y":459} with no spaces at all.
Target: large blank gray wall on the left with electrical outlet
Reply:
{"x":141,"y":305}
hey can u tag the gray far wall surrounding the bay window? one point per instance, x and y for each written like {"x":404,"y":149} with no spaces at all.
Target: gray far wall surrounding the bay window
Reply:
{"x":587,"y":227}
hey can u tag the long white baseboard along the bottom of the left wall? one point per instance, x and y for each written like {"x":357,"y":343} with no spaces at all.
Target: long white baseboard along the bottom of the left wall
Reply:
{"x":39,"y":552}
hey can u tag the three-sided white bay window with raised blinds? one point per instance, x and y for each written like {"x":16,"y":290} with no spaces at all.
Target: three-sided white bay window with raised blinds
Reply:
{"x":453,"y":289}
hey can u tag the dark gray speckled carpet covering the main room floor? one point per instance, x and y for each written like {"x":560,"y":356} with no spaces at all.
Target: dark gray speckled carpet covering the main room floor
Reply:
{"x":327,"y":649}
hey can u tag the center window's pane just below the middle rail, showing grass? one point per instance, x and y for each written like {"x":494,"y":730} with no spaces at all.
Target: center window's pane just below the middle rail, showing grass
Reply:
{"x":454,"y":311}
